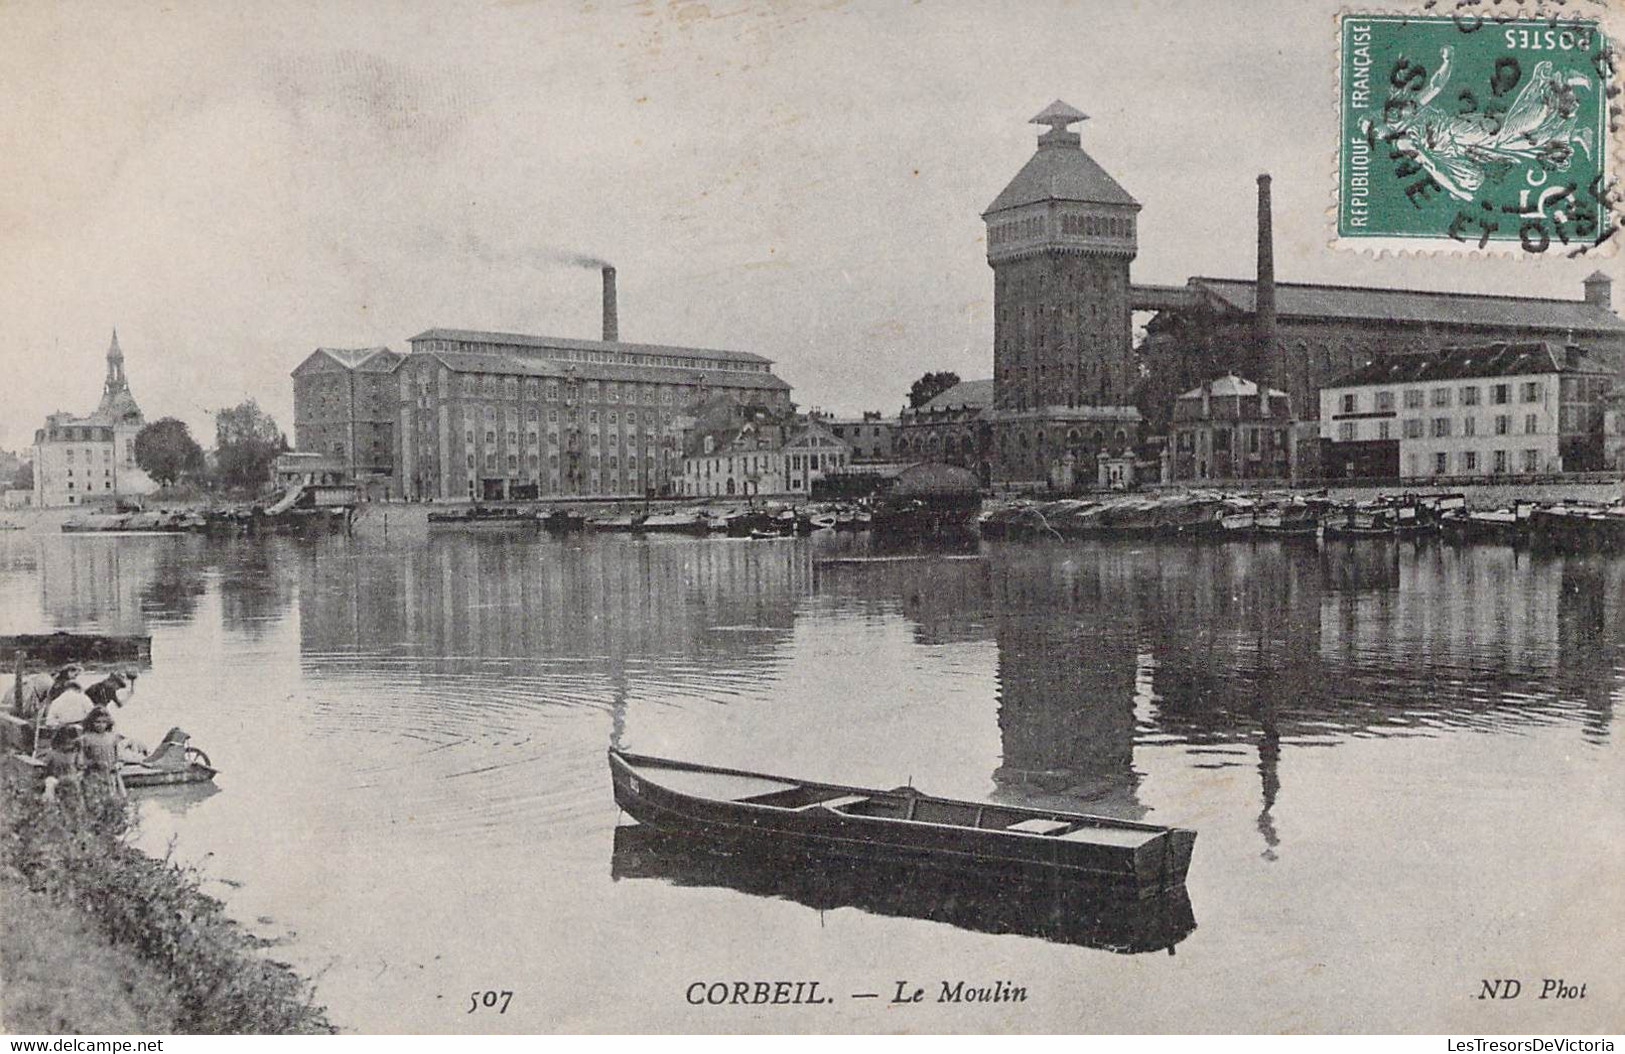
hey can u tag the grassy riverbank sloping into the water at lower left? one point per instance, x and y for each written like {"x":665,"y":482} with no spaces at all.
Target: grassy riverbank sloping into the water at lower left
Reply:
{"x":103,"y":938}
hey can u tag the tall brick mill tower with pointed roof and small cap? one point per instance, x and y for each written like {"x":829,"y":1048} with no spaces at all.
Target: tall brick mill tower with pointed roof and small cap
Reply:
{"x":1060,"y":241}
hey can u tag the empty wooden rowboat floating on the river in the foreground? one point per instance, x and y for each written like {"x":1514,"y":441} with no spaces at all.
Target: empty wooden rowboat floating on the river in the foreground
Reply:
{"x":901,"y":826}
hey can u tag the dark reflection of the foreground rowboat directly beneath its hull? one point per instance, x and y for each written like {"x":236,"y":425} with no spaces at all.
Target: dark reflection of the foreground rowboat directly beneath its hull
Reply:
{"x":1064,"y":915}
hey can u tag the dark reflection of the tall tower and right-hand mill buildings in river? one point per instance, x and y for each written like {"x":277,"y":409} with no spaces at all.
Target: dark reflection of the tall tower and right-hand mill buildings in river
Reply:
{"x":1244,"y":654}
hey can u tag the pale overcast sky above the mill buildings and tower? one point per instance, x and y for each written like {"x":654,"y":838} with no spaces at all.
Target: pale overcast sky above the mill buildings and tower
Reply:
{"x":236,"y":184}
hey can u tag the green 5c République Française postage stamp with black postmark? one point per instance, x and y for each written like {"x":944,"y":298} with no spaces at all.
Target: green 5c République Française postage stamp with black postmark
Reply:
{"x":1475,"y":134}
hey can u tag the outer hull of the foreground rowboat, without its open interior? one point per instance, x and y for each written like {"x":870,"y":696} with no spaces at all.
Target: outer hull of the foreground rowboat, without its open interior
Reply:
{"x":1158,"y":862}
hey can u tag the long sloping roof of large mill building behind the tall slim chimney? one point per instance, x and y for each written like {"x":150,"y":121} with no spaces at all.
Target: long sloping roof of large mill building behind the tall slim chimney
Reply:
{"x":1415,"y":306}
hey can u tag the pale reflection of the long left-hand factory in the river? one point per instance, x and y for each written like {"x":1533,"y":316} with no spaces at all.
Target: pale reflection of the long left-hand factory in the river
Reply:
{"x":461,"y":598}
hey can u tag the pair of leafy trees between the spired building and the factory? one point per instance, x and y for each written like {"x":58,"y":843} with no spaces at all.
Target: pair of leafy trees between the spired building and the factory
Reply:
{"x":246,"y":446}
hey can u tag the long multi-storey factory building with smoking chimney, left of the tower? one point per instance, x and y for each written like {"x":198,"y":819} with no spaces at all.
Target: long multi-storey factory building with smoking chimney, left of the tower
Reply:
{"x":496,"y":417}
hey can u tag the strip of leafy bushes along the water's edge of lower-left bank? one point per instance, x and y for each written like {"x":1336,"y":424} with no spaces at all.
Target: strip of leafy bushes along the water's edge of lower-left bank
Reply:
{"x":222,"y":980}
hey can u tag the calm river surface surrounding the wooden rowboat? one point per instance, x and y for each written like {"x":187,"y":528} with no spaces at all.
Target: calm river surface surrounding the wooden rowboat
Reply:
{"x":1400,"y":761}
